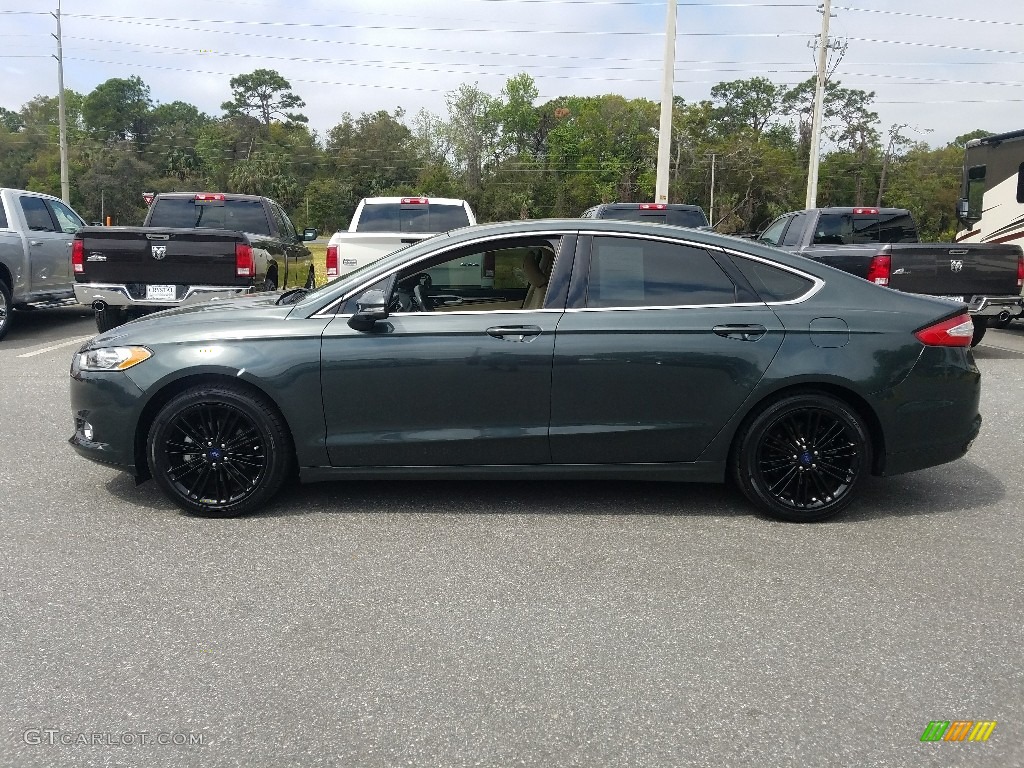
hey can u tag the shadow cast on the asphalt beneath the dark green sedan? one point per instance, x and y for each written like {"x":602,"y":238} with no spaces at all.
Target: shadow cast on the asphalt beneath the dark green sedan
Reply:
{"x":931,"y":492}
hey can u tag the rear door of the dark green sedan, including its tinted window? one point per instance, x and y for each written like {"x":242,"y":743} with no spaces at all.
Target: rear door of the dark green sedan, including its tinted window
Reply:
{"x":656,"y":353}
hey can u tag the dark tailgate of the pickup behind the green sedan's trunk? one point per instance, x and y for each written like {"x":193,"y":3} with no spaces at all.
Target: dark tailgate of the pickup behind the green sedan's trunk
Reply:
{"x":957,"y":270}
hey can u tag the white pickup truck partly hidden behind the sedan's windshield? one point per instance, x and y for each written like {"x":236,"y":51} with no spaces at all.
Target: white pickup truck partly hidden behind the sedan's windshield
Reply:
{"x":382,"y":226}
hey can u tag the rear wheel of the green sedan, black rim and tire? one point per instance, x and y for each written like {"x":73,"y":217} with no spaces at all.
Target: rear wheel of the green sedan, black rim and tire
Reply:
{"x":802,"y":458}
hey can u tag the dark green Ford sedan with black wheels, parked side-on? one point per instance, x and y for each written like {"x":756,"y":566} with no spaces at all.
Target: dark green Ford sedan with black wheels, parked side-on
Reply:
{"x":557,"y":349}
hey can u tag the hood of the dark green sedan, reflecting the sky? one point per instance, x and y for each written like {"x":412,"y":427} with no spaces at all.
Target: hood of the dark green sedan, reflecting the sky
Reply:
{"x":209,"y":318}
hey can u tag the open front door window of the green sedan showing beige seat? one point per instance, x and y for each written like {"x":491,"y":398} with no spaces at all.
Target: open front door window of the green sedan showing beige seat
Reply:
{"x":499,"y":276}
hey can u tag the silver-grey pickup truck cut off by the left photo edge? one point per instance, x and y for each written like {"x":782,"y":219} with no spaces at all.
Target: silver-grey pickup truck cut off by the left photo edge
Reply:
{"x":36,"y":234}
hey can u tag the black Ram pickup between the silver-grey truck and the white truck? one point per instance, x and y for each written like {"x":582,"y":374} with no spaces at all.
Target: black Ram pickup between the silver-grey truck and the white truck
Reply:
{"x":192,"y":247}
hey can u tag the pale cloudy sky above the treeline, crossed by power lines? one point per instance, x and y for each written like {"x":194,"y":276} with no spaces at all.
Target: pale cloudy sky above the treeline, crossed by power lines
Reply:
{"x":940,"y":67}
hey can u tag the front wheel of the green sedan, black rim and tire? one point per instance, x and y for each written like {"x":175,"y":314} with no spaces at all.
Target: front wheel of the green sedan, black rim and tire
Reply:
{"x":219,"y":451}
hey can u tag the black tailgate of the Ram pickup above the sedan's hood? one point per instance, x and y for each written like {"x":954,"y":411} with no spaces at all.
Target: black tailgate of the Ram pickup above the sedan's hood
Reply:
{"x":122,"y":254}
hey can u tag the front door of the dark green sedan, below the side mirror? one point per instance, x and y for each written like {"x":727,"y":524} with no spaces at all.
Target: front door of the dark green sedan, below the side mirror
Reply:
{"x":464,"y":380}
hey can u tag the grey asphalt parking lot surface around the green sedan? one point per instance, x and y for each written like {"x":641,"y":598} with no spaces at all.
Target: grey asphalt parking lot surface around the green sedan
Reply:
{"x":501,"y":624}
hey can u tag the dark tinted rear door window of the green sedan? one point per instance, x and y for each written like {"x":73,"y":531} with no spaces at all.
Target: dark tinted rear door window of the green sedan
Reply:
{"x":631,"y":272}
